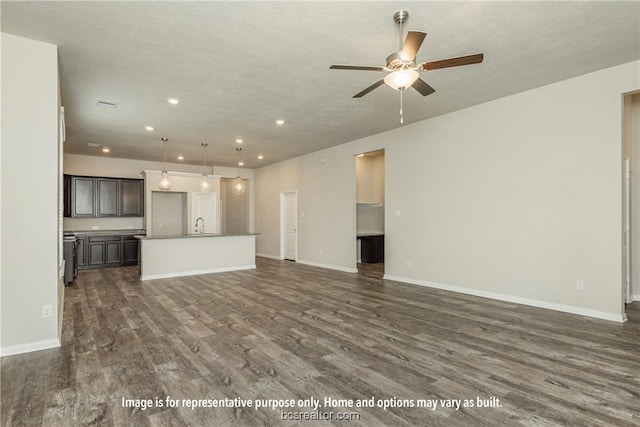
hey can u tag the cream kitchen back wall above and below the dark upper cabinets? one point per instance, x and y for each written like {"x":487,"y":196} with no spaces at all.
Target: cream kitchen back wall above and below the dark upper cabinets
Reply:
{"x":125,"y":168}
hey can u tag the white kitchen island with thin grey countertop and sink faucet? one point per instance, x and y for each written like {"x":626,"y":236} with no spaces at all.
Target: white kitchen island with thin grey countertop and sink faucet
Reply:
{"x":191,"y":254}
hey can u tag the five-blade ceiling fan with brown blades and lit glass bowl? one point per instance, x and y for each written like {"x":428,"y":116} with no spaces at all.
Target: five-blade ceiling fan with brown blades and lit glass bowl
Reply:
{"x":402,"y":67}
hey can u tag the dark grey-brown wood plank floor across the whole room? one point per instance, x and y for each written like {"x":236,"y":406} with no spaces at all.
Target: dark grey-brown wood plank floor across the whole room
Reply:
{"x":289,"y":331}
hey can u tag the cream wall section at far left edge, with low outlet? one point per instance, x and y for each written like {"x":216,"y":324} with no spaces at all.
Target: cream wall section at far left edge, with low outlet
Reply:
{"x":30,"y":239}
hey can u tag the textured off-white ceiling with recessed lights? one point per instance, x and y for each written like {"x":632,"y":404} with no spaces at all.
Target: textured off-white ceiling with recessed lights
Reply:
{"x":238,"y":66}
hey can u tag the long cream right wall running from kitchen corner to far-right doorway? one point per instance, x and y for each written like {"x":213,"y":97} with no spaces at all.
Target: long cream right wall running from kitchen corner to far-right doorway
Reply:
{"x":516,"y":199}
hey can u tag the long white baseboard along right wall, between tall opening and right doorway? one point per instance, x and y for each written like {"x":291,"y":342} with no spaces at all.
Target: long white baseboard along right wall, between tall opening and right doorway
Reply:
{"x":510,"y":298}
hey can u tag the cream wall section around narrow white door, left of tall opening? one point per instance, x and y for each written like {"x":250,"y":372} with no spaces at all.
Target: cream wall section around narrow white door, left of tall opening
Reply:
{"x":326,"y":207}
